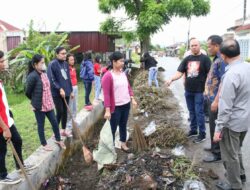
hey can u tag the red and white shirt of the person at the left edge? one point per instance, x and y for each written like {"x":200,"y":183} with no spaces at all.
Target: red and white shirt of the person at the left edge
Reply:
{"x":4,"y":108}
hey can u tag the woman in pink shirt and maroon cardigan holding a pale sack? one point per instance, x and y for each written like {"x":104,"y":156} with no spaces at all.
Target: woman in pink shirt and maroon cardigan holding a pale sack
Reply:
{"x":117,"y":97}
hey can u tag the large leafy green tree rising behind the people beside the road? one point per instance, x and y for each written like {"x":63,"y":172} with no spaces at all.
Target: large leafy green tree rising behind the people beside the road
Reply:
{"x":149,"y":15}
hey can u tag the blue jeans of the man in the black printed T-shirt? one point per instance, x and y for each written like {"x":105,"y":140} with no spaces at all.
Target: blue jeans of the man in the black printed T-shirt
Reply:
{"x":195,"y":105}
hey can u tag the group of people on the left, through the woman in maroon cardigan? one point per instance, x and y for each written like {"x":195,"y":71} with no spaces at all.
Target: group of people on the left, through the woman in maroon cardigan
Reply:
{"x":56,"y":87}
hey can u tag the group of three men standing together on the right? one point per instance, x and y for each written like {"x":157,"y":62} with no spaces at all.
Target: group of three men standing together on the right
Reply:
{"x":224,"y":82}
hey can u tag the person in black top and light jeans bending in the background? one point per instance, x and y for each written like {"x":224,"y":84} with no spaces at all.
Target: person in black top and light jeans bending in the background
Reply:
{"x":150,"y":64}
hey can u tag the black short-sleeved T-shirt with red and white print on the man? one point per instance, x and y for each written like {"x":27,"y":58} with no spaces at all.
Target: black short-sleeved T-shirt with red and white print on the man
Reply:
{"x":196,"y":68}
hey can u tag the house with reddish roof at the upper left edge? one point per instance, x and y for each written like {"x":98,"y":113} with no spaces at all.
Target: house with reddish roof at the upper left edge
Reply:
{"x":10,"y":36}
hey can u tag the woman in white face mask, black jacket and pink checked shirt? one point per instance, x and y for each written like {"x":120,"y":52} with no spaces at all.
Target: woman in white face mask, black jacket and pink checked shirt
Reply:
{"x":39,"y":92}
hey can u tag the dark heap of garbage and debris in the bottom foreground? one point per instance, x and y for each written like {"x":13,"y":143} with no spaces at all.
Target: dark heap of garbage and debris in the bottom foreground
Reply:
{"x":151,"y":170}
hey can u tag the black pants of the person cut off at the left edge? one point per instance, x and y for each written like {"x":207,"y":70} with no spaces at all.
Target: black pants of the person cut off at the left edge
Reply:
{"x":17,"y":142}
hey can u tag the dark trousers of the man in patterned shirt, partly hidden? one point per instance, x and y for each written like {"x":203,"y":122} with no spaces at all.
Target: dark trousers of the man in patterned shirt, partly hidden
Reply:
{"x":212,"y":118}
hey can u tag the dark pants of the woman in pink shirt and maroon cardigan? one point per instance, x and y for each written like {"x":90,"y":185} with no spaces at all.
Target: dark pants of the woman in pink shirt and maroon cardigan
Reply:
{"x":120,"y":117}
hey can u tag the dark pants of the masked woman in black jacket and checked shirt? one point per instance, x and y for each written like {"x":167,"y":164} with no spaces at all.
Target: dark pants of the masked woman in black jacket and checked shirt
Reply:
{"x":40,"y":118}
